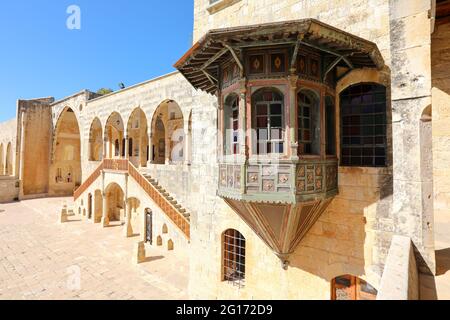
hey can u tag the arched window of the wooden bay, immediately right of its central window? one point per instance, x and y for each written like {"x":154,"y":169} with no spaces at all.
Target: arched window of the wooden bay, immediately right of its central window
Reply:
{"x":308,"y":123}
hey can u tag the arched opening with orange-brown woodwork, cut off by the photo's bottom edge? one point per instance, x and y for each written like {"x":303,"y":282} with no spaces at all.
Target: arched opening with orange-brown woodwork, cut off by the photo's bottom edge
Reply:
{"x":349,"y":287}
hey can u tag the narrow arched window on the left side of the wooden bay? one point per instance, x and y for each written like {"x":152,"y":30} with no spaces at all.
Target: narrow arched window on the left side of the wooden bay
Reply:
{"x":231,"y":124}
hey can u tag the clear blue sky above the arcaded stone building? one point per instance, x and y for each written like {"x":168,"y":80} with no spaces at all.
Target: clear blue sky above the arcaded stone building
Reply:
{"x":127,"y":41}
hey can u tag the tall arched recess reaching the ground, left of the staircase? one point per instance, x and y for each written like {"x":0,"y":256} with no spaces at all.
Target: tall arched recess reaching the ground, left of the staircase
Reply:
{"x":66,"y":166}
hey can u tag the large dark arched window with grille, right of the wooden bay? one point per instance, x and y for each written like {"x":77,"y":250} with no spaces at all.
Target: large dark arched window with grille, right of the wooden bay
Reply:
{"x":363,"y":125}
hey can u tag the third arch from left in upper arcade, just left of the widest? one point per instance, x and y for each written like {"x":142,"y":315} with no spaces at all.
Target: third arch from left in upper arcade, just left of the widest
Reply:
{"x":137,"y":132}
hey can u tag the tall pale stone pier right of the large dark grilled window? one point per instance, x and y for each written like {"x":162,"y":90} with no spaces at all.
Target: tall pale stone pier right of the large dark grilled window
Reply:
{"x":411,"y":94}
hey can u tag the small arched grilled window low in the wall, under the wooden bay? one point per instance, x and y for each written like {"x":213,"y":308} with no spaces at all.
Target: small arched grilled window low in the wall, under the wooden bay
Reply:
{"x":234,"y":257}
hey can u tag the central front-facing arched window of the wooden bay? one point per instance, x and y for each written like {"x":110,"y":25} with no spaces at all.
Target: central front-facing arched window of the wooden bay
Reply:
{"x":268,"y":121}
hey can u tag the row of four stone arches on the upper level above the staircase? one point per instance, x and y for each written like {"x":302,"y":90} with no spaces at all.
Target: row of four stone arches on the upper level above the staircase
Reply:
{"x":164,"y":144}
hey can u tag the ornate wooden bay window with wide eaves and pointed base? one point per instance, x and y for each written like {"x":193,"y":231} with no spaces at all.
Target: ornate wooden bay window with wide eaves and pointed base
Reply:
{"x":276,"y":89}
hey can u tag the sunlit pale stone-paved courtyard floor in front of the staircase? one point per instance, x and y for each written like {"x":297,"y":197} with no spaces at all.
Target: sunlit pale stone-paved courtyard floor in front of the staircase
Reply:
{"x":41,"y":259}
